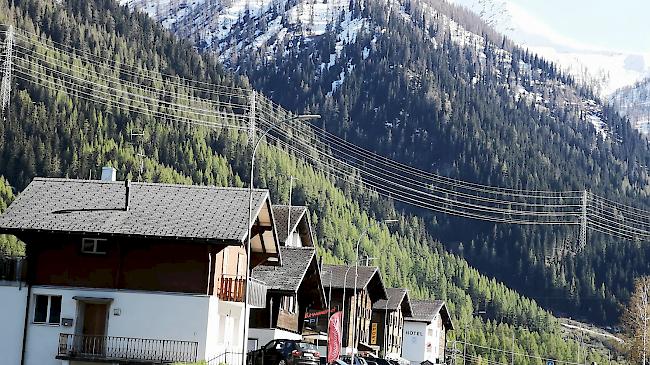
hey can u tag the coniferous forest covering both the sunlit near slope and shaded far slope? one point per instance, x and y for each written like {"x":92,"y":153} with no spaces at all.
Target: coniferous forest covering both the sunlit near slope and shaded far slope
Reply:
{"x":52,"y":132}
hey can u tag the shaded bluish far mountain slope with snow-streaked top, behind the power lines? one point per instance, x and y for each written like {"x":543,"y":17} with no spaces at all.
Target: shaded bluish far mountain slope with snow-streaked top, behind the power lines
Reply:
{"x":430,"y":85}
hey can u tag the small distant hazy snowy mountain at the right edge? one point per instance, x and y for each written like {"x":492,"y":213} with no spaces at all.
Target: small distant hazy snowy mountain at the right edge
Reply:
{"x":634,"y":102}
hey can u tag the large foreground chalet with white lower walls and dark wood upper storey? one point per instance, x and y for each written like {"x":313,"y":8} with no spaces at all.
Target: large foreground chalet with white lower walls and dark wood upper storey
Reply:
{"x":134,"y":272}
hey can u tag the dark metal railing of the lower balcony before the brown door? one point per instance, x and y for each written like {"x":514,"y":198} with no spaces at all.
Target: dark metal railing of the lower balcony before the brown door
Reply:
{"x":106,"y":348}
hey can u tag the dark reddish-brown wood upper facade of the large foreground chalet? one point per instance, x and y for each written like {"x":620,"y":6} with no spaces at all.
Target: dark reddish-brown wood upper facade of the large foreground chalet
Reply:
{"x":131,"y":263}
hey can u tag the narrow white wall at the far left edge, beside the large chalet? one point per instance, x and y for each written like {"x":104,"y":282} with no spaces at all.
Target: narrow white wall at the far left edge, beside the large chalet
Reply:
{"x":12,"y":319}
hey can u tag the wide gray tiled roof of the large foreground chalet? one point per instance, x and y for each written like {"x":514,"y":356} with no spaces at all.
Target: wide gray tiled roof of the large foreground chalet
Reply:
{"x":155,"y":210}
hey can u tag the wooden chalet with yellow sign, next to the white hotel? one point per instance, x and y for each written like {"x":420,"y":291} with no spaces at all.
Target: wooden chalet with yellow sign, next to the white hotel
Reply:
{"x":388,"y":322}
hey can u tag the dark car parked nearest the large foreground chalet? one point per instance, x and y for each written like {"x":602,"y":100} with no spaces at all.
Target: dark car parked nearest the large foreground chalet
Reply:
{"x":285,"y":352}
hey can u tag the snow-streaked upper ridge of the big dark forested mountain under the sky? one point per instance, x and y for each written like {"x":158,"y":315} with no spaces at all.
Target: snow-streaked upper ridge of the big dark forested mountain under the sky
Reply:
{"x":268,"y":29}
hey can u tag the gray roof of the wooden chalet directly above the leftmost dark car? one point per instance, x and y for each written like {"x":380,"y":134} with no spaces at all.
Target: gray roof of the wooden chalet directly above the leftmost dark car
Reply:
{"x":295,"y":263}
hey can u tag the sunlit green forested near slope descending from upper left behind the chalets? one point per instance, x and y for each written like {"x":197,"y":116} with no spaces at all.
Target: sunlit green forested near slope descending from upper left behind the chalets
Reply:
{"x":62,"y":131}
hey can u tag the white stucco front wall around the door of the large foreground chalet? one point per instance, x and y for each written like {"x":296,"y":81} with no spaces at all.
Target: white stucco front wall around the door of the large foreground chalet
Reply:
{"x":142,"y":315}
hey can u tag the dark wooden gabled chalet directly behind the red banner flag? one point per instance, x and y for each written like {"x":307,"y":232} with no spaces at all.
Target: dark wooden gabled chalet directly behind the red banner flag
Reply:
{"x":355,"y":304}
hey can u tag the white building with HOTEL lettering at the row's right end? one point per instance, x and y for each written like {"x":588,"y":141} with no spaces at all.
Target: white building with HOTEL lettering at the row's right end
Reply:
{"x":425,"y":332}
